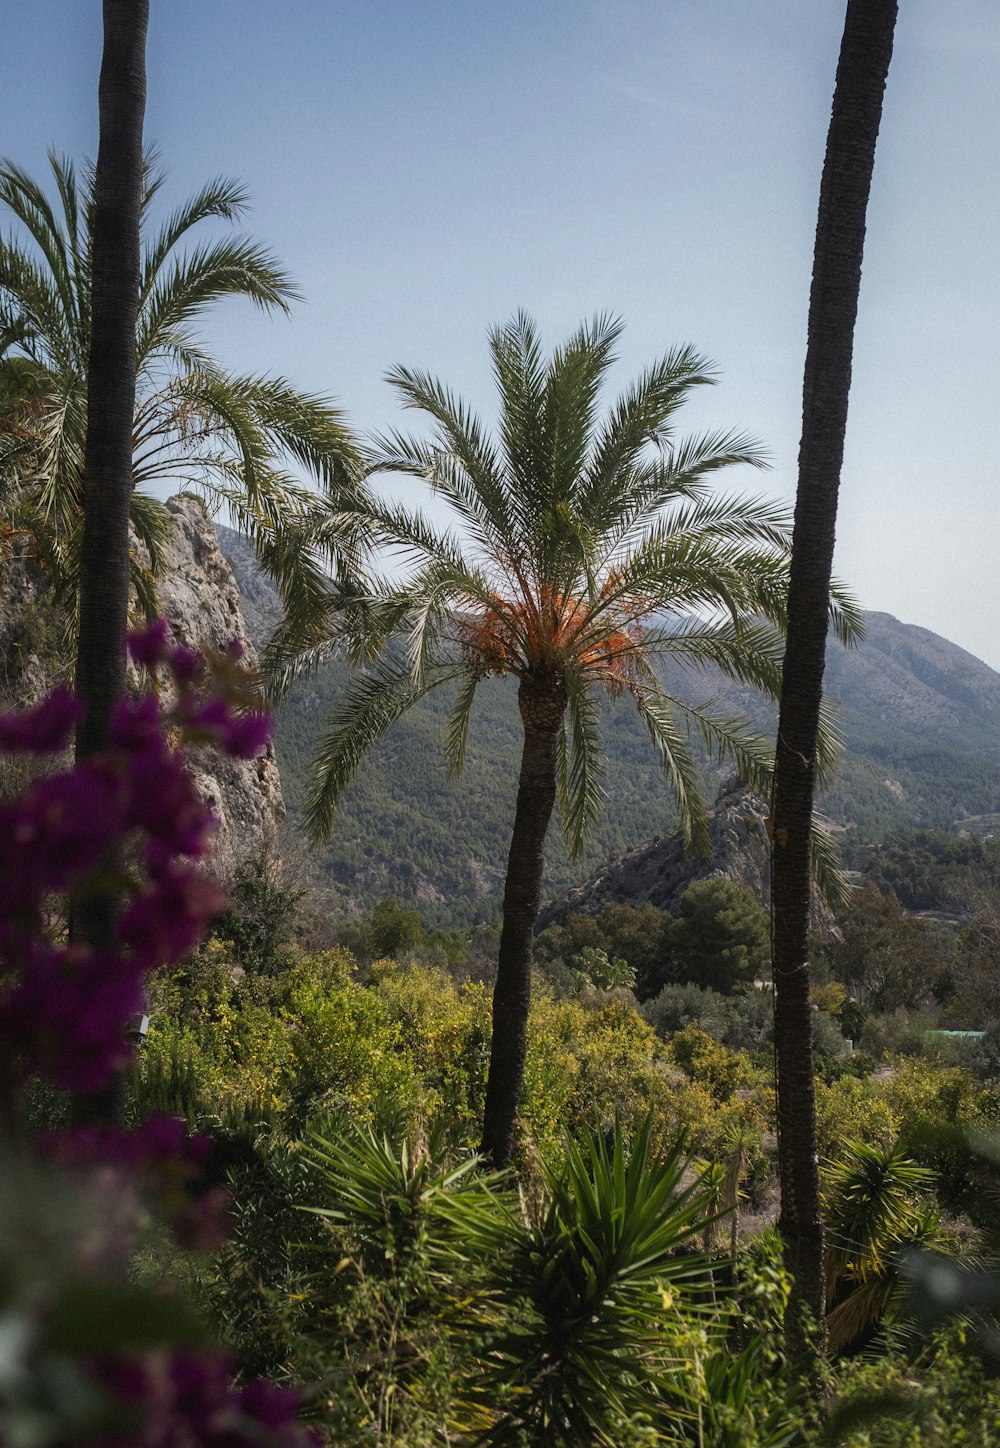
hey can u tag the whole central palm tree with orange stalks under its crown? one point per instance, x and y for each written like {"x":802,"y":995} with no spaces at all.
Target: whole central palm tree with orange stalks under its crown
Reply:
{"x":585,"y":554}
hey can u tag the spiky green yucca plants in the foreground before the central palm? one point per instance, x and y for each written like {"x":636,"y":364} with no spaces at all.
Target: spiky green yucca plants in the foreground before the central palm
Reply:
{"x":441,"y":1305}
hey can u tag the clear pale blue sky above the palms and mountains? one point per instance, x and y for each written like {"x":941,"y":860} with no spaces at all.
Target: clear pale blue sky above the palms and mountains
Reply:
{"x":425,"y":169}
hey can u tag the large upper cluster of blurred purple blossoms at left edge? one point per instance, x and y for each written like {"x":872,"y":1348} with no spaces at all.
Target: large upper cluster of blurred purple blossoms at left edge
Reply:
{"x":64,"y":1011}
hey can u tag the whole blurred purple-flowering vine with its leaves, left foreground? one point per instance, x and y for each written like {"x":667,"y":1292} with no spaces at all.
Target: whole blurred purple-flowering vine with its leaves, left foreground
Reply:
{"x":63,"y":1014}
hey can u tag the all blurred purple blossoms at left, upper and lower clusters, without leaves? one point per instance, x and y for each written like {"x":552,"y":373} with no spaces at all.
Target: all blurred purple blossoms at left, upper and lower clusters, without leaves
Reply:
{"x":137,"y":813}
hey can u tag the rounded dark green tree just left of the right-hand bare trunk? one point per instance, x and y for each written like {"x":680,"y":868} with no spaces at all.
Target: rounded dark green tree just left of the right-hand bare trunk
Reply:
{"x":721,"y":938}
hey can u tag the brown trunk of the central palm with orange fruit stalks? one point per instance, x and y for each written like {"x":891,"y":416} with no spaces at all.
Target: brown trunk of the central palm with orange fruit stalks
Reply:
{"x":542,"y":703}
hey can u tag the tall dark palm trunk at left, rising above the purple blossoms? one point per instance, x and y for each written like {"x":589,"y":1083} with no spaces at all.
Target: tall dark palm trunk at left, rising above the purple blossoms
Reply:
{"x":111,"y":408}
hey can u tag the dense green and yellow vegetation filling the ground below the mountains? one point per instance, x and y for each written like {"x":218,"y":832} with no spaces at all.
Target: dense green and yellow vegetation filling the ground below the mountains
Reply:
{"x":357,"y":1091}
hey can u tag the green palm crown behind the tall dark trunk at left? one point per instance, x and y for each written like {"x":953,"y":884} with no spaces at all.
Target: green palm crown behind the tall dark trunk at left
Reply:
{"x":237,"y":438}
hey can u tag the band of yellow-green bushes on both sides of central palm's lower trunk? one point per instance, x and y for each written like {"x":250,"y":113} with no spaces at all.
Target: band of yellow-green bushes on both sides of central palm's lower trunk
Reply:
{"x":409,"y":1045}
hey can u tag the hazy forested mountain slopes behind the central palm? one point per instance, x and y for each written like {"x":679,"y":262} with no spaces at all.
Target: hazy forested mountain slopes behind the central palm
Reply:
{"x":921,"y":720}
